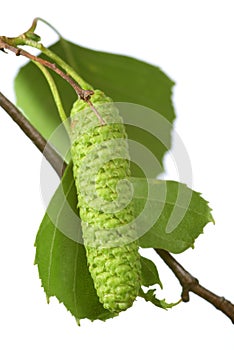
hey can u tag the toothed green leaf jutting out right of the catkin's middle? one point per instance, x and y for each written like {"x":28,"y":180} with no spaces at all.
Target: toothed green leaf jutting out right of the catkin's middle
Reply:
{"x":179,"y":214}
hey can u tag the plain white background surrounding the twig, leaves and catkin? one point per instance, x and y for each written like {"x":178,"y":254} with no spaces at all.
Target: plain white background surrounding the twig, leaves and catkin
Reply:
{"x":192,"y":42}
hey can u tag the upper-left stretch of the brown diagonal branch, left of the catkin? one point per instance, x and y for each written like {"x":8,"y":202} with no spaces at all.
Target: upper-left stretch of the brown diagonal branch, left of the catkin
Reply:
{"x":48,"y":151}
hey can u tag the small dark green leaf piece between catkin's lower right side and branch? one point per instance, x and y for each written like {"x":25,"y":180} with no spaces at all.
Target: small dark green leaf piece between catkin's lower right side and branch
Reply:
{"x":150,"y":274}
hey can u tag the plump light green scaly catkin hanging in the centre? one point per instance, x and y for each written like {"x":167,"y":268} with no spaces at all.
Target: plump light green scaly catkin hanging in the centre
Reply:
{"x":100,"y":161}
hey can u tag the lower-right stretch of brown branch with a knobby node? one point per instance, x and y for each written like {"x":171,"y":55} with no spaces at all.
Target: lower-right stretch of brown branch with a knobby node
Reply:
{"x":191,"y":284}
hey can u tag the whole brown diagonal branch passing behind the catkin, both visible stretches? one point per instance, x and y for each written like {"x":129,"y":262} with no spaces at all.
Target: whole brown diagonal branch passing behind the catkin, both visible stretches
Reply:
{"x":187,"y":281}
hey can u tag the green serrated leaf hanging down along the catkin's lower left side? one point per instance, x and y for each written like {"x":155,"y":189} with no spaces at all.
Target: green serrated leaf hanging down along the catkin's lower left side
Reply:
{"x":62,"y":261}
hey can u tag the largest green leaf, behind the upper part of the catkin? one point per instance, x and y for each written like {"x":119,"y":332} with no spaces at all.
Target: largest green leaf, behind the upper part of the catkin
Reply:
{"x":125,"y":79}
